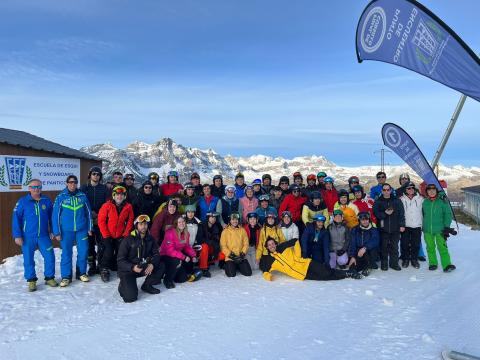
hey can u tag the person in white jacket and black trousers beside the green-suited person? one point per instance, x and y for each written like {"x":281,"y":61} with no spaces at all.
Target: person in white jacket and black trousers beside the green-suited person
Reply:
{"x":411,"y":238}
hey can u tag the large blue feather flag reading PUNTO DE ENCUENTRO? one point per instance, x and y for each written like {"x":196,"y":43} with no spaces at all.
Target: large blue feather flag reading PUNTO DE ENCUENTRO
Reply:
{"x":407,"y":34}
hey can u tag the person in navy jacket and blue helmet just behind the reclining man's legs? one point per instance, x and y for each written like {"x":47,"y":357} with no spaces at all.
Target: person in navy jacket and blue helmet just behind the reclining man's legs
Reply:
{"x":315,"y":240}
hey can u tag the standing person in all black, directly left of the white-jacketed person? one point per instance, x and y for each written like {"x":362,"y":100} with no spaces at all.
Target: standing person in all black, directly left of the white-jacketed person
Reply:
{"x":391,"y":222}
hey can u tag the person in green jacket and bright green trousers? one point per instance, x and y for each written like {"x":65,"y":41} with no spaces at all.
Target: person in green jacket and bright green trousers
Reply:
{"x":437,"y":218}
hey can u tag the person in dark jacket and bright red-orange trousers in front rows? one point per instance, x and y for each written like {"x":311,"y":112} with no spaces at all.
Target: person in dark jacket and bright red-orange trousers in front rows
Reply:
{"x":210,"y":242}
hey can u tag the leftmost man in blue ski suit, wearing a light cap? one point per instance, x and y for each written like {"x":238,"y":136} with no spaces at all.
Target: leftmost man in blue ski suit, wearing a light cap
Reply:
{"x":31,"y":229}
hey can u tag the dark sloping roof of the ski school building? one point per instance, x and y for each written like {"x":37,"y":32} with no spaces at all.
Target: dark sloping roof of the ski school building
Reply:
{"x":24,"y":139}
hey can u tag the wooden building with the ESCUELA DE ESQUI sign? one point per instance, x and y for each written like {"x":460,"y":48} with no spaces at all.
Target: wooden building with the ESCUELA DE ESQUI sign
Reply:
{"x":17,"y":147}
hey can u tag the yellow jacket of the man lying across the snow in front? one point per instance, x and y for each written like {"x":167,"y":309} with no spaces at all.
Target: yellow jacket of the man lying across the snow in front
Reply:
{"x":290,"y":262}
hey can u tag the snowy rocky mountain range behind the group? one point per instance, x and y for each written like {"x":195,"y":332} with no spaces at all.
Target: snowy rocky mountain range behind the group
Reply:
{"x":141,"y":158}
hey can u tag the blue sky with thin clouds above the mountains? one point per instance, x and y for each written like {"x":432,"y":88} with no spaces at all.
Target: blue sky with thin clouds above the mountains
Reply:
{"x":242,"y":77}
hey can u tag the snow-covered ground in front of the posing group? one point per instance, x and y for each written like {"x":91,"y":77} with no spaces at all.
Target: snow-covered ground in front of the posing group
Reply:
{"x":411,"y":314}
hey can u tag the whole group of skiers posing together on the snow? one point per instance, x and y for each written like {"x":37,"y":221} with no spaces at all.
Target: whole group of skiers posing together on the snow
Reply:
{"x":174,"y":233}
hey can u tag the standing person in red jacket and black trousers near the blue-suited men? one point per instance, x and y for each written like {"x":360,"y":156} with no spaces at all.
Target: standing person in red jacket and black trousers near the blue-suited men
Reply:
{"x":115,"y":220}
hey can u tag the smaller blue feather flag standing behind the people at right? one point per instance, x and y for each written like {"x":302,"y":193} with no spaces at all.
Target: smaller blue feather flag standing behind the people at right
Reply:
{"x":395,"y":138}
